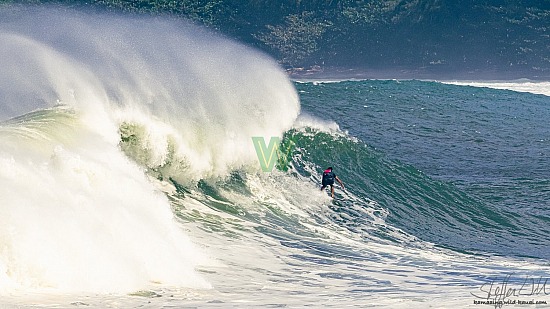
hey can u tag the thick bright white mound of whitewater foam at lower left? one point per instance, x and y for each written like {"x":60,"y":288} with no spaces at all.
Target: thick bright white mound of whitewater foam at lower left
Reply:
{"x":84,"y":218}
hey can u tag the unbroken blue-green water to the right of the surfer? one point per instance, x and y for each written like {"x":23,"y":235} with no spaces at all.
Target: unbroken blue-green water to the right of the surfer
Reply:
{"x":459,"y":166}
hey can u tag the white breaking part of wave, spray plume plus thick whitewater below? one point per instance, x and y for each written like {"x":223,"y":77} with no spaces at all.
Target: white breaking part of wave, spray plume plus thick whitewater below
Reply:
{"x":75,"y":212}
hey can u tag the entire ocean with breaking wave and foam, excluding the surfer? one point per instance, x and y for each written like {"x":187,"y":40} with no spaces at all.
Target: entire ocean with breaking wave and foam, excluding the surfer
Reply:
{"x":129,"y":178}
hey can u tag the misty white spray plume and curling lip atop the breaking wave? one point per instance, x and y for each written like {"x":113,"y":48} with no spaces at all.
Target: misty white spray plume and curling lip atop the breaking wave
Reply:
{"x":175,"y":81}
